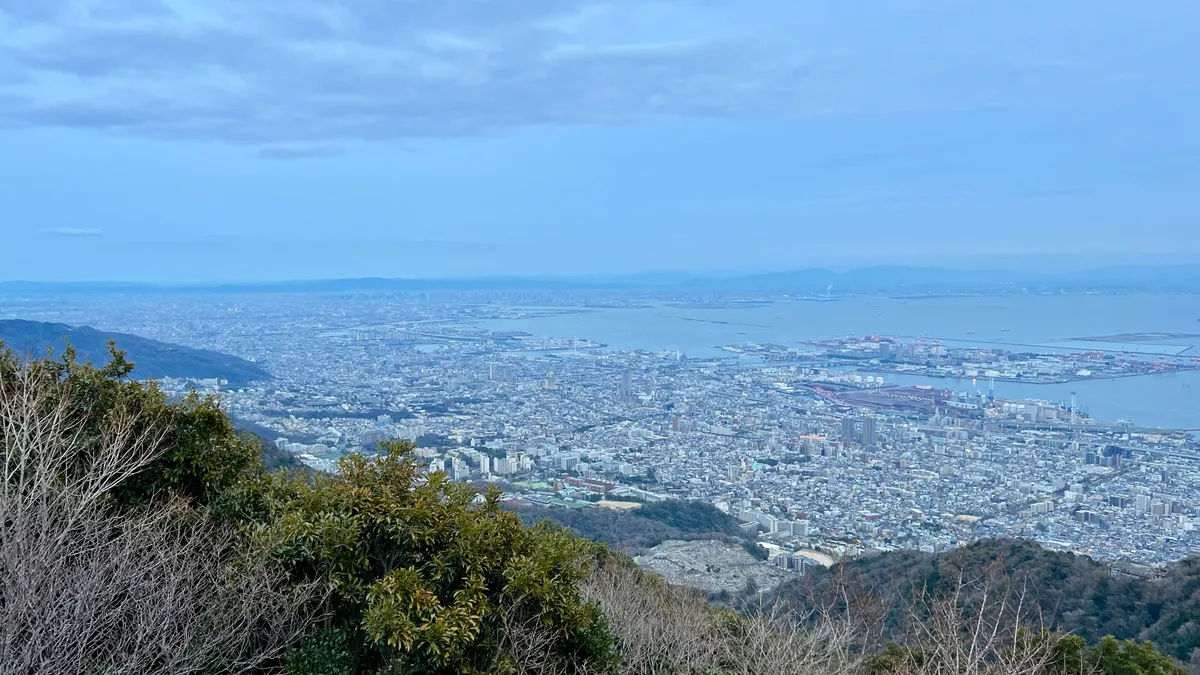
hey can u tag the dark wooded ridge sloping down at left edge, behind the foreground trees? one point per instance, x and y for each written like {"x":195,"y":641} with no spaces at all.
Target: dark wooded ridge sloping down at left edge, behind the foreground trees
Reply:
{"x":152,"y":359}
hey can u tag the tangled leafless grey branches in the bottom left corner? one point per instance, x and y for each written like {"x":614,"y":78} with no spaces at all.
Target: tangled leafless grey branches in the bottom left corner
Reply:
{"x":86,"y":589}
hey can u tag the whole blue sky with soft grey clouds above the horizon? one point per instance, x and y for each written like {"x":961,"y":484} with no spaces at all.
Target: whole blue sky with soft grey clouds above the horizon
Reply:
{"x":197,"y":141}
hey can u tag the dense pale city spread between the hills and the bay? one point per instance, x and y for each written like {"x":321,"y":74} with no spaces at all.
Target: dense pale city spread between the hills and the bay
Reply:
{"x":807,"y":445}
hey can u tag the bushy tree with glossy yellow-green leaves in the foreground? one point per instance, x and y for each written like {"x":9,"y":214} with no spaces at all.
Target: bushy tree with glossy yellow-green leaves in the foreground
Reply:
{"x":433,"y":577}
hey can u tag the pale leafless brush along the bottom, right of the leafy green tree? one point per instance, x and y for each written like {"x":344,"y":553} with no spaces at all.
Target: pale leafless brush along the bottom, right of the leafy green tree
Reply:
{"x":668,"y":630}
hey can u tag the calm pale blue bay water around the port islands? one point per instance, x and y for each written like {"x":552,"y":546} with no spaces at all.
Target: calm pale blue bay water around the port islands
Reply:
{"x":1163,"y":401}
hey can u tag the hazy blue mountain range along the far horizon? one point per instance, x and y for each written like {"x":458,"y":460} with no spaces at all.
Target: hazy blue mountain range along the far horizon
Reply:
{"x":884,"y":279}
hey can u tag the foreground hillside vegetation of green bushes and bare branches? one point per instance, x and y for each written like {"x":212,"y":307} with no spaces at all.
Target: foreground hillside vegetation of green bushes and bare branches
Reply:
{"x":140,"y":535}
